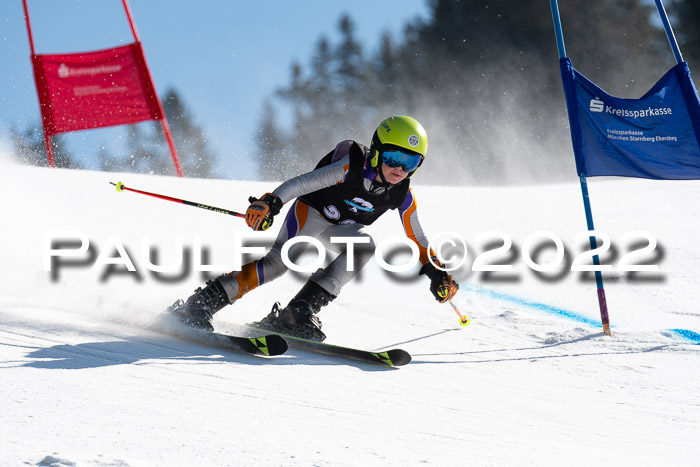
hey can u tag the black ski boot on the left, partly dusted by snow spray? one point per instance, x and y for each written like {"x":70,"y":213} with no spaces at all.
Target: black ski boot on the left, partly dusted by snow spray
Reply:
{"x":199,"y":309}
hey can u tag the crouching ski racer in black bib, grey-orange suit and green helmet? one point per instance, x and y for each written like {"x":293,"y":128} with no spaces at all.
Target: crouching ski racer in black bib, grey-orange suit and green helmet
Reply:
{"x":350,"y":188}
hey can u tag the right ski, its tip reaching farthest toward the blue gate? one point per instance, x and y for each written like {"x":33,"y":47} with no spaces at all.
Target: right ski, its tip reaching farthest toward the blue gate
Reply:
{"x":391,"y":358}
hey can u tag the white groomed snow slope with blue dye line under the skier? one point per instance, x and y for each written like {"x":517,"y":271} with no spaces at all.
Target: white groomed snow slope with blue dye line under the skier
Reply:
{"x":531,"y":381}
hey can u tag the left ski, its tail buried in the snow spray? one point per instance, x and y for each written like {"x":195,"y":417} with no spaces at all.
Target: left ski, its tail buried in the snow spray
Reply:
{"x":265,"y":343}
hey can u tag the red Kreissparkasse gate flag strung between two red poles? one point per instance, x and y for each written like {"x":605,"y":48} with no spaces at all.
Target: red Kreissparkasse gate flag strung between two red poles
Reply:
{"x":95,"y":89}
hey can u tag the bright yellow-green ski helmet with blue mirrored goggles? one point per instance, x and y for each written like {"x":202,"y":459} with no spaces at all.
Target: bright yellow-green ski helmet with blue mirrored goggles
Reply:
{"x":399,"y":141}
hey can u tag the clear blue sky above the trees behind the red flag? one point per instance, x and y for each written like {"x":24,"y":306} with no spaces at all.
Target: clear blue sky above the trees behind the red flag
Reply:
{"x":224,"y":57}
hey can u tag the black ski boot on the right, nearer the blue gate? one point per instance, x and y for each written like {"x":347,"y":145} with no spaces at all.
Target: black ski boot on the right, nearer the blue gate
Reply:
{"x":299,"y":318}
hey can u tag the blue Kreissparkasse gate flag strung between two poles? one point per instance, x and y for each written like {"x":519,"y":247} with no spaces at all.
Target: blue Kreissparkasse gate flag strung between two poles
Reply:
{"x":655,"y":136}
